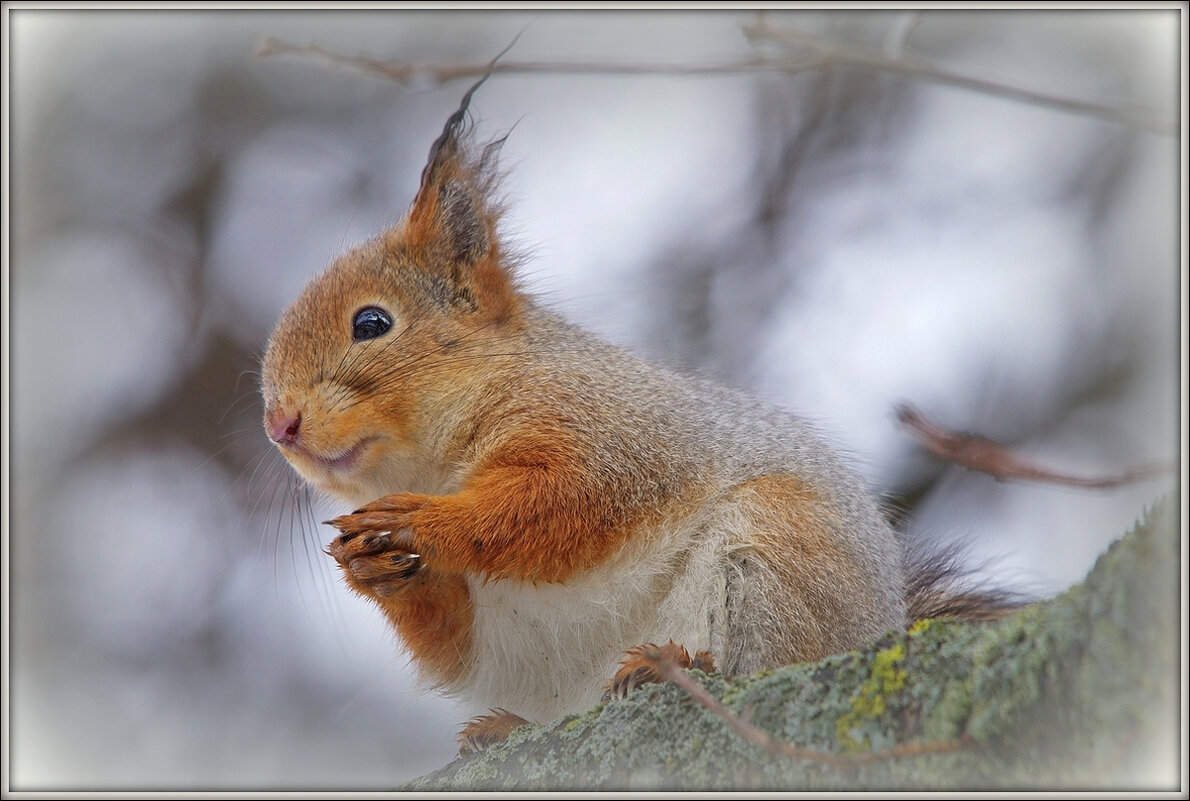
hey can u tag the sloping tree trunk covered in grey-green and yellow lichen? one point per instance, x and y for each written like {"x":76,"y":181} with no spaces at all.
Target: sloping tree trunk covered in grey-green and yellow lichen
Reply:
{"x":1080,"y":692}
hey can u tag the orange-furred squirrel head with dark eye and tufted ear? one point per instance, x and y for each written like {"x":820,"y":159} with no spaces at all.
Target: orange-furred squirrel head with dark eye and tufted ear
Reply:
{"x":360,"y":371}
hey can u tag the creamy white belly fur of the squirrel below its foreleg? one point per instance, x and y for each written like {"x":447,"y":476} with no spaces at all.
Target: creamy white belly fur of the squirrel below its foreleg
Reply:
{"x":548,"y":650}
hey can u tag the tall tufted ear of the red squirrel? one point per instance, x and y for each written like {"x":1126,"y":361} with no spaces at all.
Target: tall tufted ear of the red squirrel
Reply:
{"x":454,"y":216}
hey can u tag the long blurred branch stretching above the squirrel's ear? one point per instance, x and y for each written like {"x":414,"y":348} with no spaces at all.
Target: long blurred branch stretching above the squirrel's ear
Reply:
{"x":800,"y":52}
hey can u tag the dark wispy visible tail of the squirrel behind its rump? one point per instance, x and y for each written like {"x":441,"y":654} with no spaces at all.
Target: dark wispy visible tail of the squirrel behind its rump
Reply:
{"x":937,"y":586}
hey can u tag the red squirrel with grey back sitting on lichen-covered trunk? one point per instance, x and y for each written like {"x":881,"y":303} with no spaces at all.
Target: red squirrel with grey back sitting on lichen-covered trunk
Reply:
{"x":533,"y":504}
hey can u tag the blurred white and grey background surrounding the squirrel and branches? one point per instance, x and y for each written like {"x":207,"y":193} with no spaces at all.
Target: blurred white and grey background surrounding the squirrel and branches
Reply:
{"x":836,"y":240}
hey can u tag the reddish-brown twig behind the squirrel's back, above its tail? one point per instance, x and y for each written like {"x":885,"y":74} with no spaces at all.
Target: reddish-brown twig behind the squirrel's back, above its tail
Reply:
{"x":976,"y":453}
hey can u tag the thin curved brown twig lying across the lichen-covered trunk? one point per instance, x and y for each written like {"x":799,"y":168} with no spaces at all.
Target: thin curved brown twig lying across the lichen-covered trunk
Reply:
{"x":763,"y":740}
